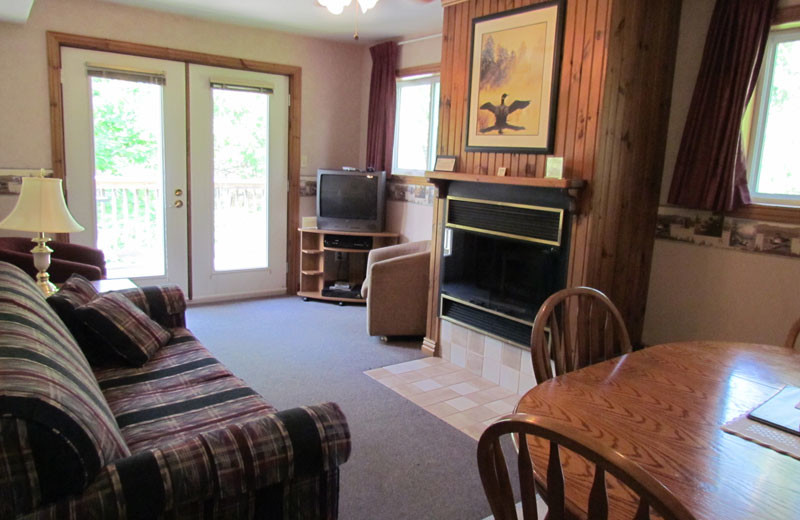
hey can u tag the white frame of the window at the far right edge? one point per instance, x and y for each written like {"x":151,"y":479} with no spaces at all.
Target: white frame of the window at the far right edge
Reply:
{"x":762,"y":106}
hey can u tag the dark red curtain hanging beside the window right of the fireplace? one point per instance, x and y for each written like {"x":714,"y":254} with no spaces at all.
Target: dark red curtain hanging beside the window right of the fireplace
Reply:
{"x":710,"y":171}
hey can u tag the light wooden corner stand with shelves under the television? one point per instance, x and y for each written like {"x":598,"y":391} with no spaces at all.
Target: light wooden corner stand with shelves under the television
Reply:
{"x":331,"y":271}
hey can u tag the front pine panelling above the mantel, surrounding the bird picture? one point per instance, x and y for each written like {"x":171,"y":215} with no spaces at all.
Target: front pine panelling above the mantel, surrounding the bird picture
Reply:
{"x":578,"y":90}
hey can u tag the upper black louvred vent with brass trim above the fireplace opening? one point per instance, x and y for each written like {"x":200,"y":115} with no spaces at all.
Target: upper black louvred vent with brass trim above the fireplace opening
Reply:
{"x":517,"y":221}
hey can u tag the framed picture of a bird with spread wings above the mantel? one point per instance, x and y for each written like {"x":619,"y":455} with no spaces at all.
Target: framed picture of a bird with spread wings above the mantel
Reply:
{"x":514,"y":77}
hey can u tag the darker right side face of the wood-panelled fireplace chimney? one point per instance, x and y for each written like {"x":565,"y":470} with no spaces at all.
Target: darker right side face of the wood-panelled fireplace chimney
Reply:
{"x":630,"y":157}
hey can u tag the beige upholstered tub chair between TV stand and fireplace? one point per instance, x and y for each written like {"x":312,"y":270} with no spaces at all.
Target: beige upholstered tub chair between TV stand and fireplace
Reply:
{"x":396,"y":289}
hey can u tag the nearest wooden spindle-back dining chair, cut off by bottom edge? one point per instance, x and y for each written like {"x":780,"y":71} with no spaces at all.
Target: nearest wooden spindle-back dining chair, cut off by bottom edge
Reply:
{"x":497,"y":485}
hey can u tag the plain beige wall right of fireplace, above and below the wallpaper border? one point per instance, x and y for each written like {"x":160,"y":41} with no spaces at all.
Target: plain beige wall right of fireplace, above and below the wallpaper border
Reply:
{"x":705,"y":293}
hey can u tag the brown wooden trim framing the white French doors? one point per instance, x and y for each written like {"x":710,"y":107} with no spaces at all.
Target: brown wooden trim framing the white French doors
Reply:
{"x":57,"y":40}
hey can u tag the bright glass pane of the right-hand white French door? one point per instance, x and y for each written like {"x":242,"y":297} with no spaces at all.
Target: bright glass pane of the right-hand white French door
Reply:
{"x":241,"y":156}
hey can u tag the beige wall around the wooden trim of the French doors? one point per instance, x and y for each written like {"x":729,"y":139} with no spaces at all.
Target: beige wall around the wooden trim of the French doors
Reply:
{"x":332,"y":90}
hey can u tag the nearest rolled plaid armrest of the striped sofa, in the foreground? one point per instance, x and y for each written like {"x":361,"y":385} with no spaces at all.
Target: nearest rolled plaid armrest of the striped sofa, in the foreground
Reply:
{"x":280,"y":451}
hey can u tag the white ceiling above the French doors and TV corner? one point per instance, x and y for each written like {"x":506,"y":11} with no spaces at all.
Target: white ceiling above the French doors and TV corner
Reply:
{"x":387,"y":20}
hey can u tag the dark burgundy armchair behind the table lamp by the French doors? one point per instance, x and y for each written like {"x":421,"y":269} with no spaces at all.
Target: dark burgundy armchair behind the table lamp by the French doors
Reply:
{"x":65,"y":260}
